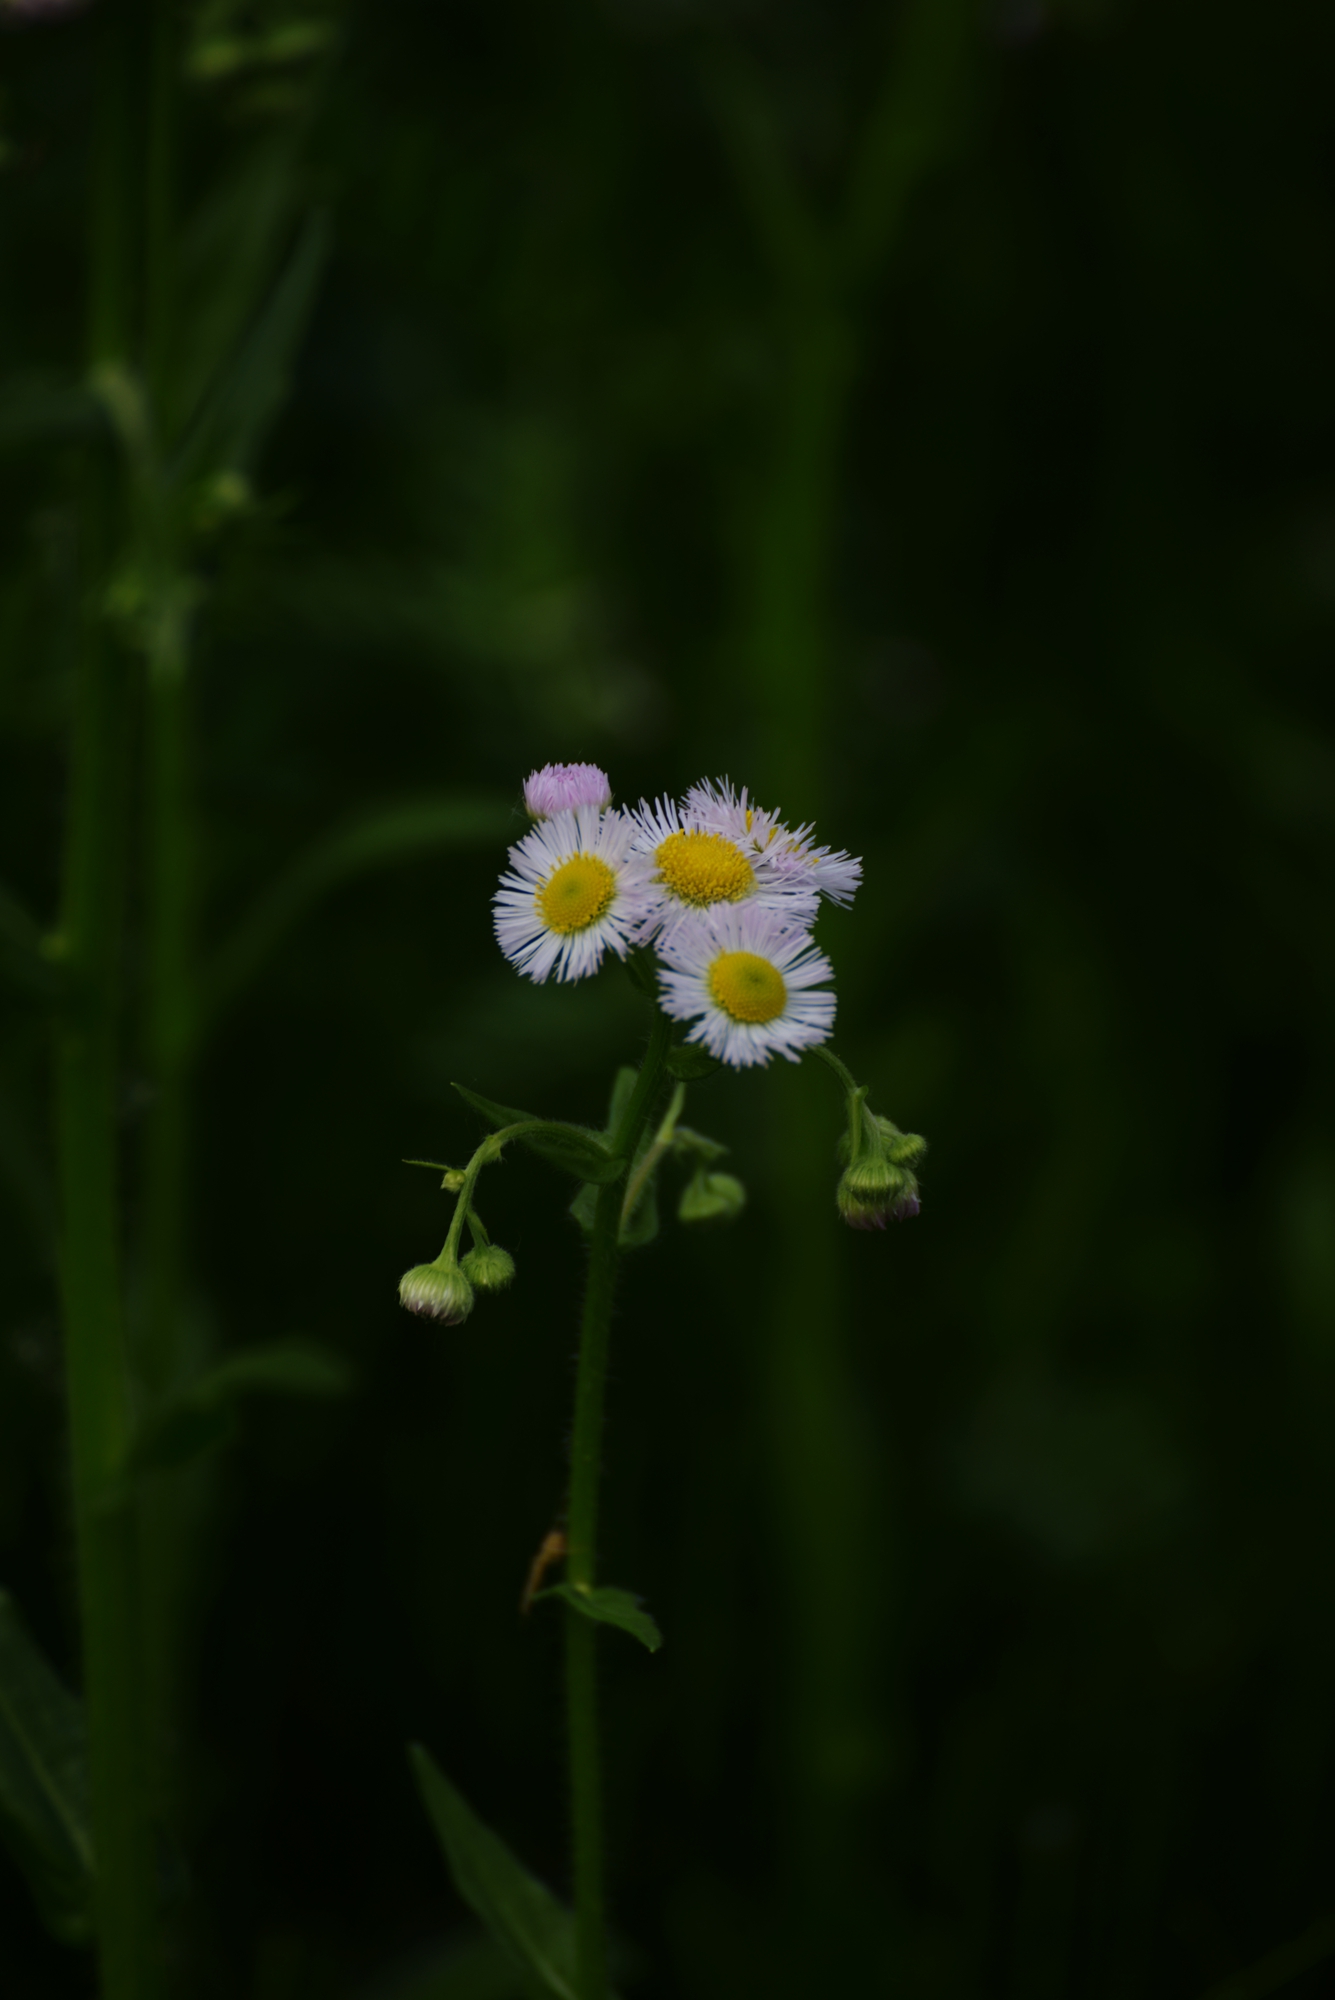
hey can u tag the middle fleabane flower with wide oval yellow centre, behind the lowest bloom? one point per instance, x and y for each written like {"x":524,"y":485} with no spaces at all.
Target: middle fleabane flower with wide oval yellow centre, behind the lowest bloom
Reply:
{"x":698,"y":867}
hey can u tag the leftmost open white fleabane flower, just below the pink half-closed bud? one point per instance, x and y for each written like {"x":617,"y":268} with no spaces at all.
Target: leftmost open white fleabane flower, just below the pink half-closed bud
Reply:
{"x":573,"y":893}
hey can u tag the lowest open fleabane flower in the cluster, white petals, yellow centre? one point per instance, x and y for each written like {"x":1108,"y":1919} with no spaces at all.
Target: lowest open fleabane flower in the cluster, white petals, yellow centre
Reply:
{"x":750,"y":981}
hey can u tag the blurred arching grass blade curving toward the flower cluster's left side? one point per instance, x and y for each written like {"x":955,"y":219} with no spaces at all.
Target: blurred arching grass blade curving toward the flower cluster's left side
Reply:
{"x":377,"y":841}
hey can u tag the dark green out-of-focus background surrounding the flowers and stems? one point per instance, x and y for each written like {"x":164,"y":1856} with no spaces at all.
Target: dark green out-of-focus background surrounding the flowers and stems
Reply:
{"x":994,"y":1557}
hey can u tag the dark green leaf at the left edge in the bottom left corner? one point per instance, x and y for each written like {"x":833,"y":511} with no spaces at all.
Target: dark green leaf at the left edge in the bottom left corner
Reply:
{"x":45,"y":1783}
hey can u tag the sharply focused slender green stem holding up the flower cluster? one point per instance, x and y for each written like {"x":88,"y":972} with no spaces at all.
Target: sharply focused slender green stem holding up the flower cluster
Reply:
{"x":583,"y":1533}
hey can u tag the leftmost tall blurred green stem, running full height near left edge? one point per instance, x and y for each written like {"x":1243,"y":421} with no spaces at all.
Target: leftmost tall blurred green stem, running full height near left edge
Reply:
{"x":87,"y":1083}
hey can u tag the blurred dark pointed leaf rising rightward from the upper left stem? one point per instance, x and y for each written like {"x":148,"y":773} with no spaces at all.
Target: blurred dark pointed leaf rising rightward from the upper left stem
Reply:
{"x":241,"y":409}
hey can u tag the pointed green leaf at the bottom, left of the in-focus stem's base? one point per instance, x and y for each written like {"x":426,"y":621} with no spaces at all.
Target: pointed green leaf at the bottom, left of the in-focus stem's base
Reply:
{"x":521,"y":1913}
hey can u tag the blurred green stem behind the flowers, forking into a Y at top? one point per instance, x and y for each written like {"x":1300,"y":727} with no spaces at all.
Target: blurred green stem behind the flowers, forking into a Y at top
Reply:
{"x":822,"y":269}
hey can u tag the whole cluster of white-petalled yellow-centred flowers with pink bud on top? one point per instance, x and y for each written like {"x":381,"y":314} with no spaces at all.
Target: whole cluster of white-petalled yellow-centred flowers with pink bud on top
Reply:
{"x":714,"y":885}
